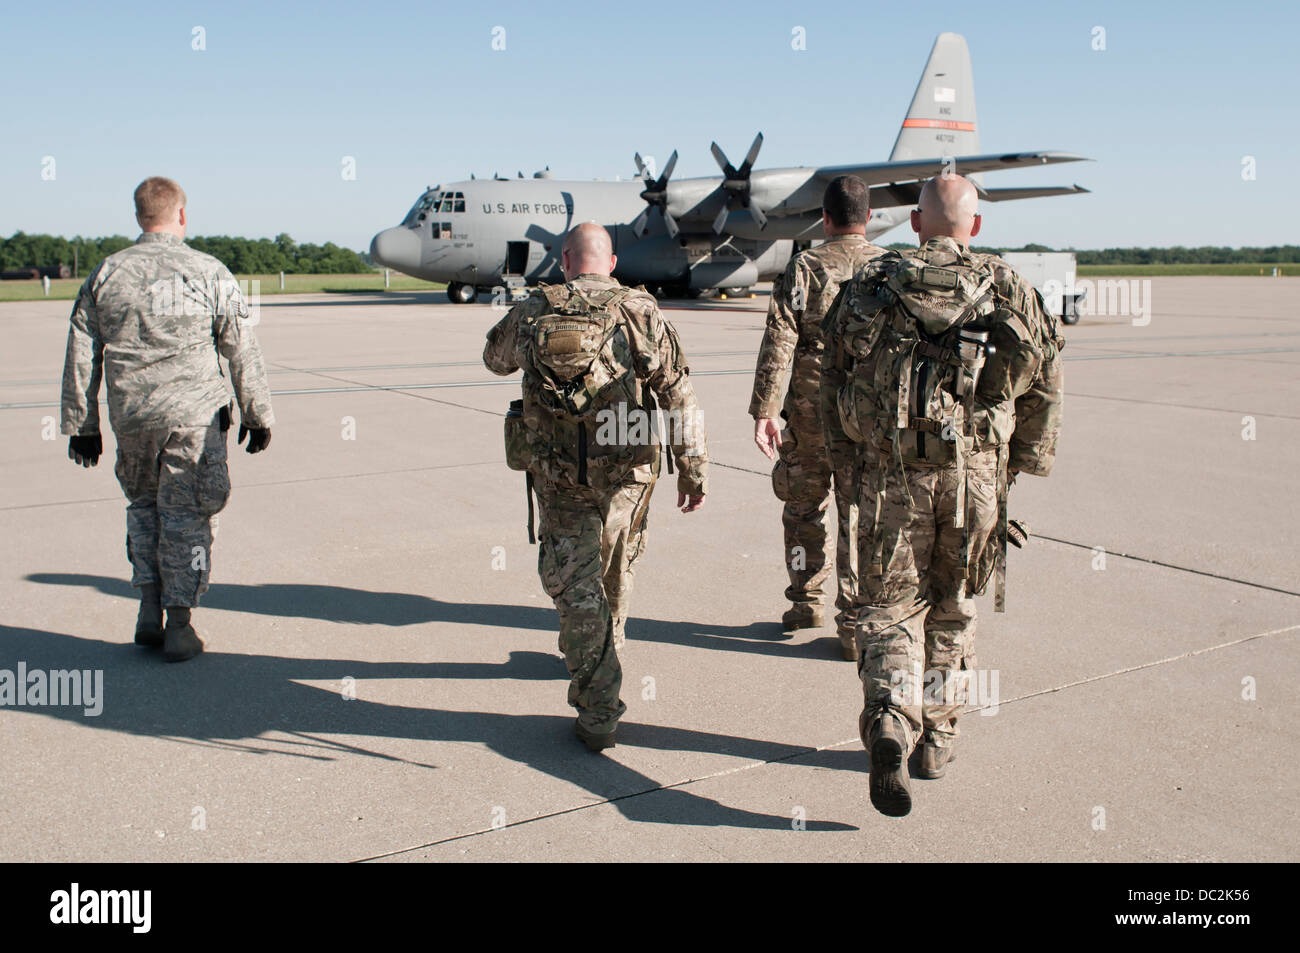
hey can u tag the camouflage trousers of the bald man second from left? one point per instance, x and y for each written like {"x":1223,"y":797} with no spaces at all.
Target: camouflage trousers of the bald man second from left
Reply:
{"x":590,"y":543}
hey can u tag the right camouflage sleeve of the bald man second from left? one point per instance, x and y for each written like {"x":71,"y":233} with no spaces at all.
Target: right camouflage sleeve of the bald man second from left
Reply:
{"x":662,"y":365}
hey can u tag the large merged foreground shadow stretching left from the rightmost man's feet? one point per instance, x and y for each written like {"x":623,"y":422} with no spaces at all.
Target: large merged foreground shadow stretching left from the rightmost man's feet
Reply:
{"x":236,"y":701}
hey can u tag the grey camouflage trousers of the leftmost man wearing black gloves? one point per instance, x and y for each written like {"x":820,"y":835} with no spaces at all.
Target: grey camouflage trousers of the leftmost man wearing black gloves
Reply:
{"x":177,"y":483}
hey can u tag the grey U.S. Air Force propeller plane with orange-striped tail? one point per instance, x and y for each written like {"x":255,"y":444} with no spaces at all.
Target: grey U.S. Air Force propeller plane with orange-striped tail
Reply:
{"x":686,"y":237}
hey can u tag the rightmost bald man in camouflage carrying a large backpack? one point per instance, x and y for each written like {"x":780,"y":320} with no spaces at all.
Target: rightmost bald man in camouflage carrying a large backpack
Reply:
{"x":950,"y":375}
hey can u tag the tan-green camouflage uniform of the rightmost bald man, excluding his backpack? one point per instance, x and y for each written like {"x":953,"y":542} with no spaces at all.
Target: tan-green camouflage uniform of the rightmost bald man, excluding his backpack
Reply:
{"x":917,"y":613}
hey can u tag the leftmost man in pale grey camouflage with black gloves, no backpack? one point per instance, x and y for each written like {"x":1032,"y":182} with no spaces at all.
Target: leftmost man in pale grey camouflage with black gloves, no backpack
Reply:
{"x":153,"y":320}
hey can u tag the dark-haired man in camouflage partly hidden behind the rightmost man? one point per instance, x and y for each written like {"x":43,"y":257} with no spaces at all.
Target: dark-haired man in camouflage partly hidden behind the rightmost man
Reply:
{"x":811,"y":466}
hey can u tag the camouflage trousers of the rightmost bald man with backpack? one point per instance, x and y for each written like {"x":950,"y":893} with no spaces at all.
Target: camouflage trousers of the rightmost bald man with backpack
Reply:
{"x":917,"y":618}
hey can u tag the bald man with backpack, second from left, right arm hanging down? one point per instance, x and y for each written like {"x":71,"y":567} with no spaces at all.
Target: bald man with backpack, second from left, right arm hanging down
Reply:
{"x":596,"y":356}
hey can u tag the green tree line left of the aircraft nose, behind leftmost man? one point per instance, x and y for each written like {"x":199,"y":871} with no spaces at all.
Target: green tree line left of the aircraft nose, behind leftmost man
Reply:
{"x":241,"y":255}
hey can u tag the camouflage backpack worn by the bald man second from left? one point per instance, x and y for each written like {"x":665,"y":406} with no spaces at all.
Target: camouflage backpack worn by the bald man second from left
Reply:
{"x":586,"y":418}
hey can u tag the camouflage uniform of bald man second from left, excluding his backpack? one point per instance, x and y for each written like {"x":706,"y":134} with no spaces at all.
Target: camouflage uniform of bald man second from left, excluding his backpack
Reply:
{"x":592,"y":527}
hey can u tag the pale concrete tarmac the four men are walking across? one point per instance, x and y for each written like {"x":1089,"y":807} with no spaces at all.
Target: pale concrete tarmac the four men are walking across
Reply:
{"x":383,"y":681}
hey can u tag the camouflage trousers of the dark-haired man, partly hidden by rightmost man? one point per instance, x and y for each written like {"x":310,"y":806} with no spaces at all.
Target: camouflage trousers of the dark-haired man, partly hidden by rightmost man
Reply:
{"x":807,"y":479}
